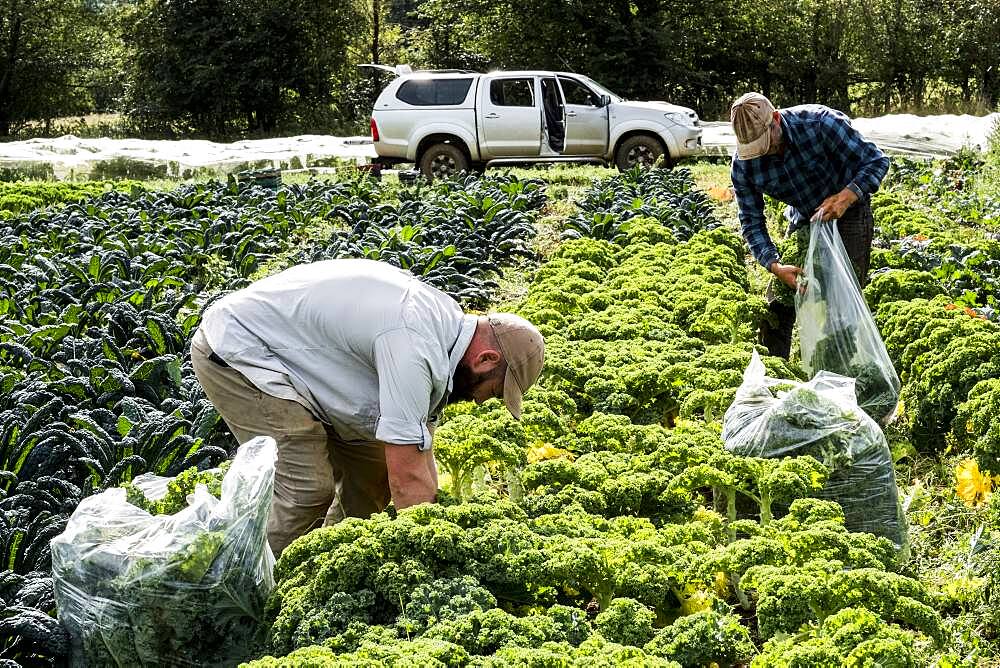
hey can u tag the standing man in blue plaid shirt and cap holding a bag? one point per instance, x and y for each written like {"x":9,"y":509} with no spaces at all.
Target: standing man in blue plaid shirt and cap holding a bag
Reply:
{"x":813,"y":160}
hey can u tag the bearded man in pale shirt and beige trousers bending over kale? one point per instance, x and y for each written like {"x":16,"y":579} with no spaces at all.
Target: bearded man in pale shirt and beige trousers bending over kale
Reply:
{"x":346,"y":364}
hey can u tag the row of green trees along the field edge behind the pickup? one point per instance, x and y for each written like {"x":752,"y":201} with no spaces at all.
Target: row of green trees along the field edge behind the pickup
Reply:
{"x":233,"y":67}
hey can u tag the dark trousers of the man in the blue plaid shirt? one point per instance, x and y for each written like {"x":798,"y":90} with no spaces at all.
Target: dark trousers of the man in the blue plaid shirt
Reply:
{"x":856,"y":229}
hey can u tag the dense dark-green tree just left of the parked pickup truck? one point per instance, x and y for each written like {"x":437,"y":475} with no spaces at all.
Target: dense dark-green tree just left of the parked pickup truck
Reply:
{"x":223,"y":66}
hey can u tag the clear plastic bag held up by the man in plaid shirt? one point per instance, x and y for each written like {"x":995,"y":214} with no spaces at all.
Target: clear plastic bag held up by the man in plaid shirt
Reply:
{"x":836,"y":330}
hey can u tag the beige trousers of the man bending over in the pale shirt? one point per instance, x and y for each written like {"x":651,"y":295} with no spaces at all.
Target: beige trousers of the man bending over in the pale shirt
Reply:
{"x":320,"y":479}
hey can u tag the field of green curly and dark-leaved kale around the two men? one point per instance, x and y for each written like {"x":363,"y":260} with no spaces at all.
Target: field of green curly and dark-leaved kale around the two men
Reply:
{"x":610,"y":526}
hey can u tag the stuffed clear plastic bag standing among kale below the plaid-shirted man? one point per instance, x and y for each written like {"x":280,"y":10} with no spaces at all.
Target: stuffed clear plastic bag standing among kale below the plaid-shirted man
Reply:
{"x":782,"y":418}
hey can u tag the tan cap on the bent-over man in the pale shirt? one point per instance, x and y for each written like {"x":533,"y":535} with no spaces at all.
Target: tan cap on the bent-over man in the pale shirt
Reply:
{"x":523,"y":349}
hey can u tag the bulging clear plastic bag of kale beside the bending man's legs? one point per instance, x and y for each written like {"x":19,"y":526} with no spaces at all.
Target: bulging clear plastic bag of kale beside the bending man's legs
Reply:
{"x":182,"y":589}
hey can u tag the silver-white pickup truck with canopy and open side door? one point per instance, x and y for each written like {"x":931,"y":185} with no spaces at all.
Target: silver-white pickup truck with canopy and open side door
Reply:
{"x":446,"y":122}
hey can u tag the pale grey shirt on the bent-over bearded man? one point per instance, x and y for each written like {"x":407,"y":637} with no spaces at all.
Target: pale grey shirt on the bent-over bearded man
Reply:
{"x":365,"y":346}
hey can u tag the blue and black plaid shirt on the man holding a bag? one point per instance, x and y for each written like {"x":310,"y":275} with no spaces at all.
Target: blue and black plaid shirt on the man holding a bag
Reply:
{"x":823,"y":155}
